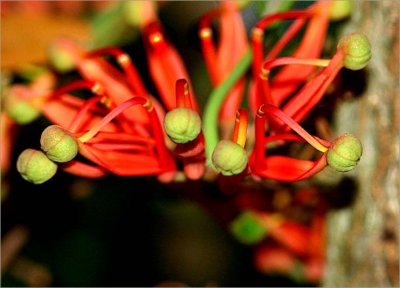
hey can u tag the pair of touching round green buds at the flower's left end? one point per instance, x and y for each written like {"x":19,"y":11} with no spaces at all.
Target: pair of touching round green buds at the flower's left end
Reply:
{"x":38,"y":166}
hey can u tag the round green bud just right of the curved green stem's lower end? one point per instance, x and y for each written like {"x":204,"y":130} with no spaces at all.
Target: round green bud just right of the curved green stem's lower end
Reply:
{"x":229,"y":158}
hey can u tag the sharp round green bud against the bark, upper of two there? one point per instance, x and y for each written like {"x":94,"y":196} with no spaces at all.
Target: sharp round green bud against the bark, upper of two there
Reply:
{"x":357,"y":51}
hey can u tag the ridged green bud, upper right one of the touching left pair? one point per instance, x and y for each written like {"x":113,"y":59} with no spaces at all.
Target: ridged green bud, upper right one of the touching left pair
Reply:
{"x":58,"y":144}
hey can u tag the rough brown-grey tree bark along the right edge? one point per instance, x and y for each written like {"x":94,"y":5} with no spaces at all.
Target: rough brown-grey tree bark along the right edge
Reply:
{"x":363,"y":238}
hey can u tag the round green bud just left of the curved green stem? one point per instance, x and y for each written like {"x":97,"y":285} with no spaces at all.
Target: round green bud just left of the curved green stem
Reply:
{"x":182,"y":125}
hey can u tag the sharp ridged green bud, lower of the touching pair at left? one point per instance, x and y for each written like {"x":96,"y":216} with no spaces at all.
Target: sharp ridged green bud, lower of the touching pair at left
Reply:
{"x":35,"y":167}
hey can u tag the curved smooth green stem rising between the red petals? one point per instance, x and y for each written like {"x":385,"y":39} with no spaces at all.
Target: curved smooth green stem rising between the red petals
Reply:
{"x":214,"y":103}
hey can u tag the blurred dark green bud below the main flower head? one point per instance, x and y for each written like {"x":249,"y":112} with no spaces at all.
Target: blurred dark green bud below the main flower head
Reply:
{"x":248,"y":229}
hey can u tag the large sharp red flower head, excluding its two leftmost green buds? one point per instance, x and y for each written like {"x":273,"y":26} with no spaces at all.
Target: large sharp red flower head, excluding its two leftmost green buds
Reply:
{"x":120,"y":130}
